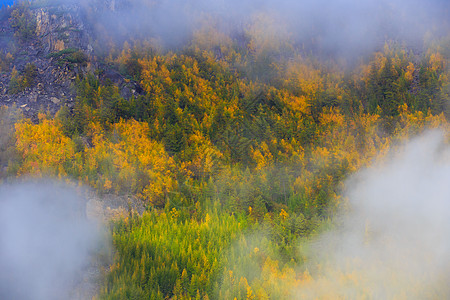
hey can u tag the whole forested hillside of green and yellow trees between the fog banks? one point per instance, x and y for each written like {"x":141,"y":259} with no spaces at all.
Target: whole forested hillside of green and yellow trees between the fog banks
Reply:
{"x":238,"y":142}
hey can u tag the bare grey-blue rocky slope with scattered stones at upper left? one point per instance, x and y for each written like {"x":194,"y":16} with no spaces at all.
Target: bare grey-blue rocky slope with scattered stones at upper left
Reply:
{"x":59,"y":48}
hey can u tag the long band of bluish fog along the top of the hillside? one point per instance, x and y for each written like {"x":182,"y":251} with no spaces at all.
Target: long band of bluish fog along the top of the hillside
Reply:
{"x":337,"y":28}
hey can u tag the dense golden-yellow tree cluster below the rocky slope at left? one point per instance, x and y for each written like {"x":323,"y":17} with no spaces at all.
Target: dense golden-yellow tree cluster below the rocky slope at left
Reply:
{"x":128,"y":162}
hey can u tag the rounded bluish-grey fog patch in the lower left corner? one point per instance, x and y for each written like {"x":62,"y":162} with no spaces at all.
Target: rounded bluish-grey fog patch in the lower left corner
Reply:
{"x":45,"y":240}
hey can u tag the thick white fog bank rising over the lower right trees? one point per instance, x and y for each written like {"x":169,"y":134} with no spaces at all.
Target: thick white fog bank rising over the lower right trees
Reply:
{"x":394,"y":240}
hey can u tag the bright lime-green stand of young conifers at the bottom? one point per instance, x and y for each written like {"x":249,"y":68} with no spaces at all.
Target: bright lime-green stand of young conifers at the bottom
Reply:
{"x":166,"y":255}
